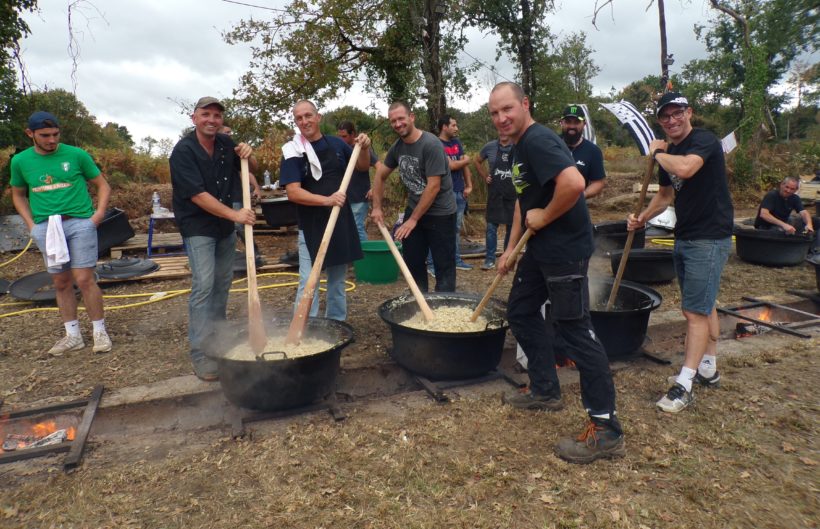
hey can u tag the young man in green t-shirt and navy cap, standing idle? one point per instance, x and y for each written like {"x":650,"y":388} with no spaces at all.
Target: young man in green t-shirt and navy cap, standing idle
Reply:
{"x":48,"y":186}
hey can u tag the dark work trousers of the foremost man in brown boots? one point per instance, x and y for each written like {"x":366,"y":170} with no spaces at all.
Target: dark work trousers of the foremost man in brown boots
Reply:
{"x":568,"y":321}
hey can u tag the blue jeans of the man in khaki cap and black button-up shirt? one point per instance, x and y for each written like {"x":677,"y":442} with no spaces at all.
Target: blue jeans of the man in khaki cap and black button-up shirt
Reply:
{"x":211,"y":262}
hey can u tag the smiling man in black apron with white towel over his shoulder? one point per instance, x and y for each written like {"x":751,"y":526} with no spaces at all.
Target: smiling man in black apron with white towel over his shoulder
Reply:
{"x":312,"y":172}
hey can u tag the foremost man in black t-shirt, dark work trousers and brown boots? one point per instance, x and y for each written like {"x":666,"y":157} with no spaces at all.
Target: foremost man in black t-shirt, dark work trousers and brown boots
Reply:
{"x":550,"y":202}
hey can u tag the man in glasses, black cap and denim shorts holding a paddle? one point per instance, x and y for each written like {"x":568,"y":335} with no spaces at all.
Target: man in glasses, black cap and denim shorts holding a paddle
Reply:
{"x":693,"y":174}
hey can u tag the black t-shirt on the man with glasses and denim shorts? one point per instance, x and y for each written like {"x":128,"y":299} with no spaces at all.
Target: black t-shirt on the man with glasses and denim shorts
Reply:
{"x":702,"y":203}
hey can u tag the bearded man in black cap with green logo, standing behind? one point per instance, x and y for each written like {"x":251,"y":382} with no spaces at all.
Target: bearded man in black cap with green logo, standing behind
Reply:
{"x":588,"y":157}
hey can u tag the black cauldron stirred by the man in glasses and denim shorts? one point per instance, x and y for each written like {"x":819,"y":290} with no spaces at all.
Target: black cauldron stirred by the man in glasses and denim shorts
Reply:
{"x":622,"y":330}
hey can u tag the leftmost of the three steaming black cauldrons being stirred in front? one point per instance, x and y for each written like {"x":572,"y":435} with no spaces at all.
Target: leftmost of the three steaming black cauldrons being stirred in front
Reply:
{"x":278,"y":384}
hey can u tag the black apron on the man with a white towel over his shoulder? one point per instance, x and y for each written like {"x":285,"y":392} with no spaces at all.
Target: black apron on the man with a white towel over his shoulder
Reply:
{"x":344,"y":243}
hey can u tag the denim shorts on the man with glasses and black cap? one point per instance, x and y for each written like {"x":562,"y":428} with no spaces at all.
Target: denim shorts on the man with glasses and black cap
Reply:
{"x":698,"y":265}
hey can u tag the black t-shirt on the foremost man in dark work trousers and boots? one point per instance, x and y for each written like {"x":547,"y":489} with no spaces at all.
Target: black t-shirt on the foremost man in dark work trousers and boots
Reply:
{"x":539,"y":156}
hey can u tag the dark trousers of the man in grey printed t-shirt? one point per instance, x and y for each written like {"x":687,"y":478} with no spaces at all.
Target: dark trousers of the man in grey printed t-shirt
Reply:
{"x":436,"y":234}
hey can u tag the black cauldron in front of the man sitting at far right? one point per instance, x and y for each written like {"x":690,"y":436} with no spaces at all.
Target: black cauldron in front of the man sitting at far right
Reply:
{"x":771,"y":247}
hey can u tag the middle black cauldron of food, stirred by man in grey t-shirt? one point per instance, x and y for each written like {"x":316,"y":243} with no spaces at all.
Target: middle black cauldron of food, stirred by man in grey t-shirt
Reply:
{"x":445,"y":355}
